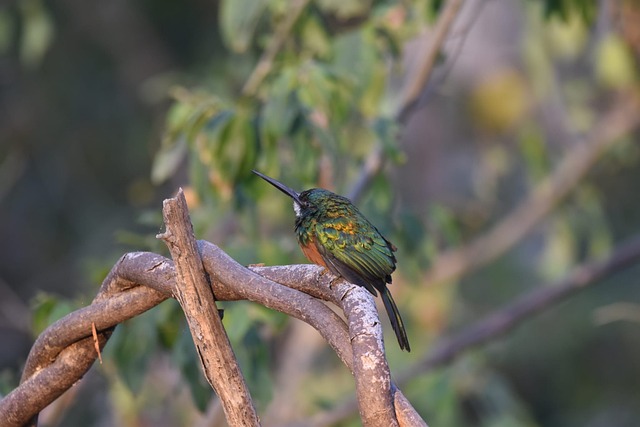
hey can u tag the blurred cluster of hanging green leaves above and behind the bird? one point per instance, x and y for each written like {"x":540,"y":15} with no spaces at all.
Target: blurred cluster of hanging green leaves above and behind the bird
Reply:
{"x":323,"y":96}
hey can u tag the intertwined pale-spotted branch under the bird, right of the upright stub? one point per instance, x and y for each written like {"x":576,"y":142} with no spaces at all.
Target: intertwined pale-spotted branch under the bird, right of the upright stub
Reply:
{"x":365,"y":334}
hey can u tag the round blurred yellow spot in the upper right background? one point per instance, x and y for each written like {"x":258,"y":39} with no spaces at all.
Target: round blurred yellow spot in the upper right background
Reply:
{"x":499,"y":101}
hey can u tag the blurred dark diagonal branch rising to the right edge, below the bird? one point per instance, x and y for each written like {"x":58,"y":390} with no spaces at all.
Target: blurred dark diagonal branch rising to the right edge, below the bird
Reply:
{"x":509,"y":317}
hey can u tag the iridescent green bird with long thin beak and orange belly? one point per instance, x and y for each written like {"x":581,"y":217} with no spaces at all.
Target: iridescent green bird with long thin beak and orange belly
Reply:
{"x":334,"y":234}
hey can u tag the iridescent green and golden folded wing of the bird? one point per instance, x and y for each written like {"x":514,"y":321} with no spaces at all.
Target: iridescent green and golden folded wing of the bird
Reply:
{"x":362,"y":257}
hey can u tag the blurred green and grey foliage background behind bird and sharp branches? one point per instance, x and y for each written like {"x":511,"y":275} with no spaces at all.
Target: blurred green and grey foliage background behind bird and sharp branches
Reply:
{"x":109,"y":107}
